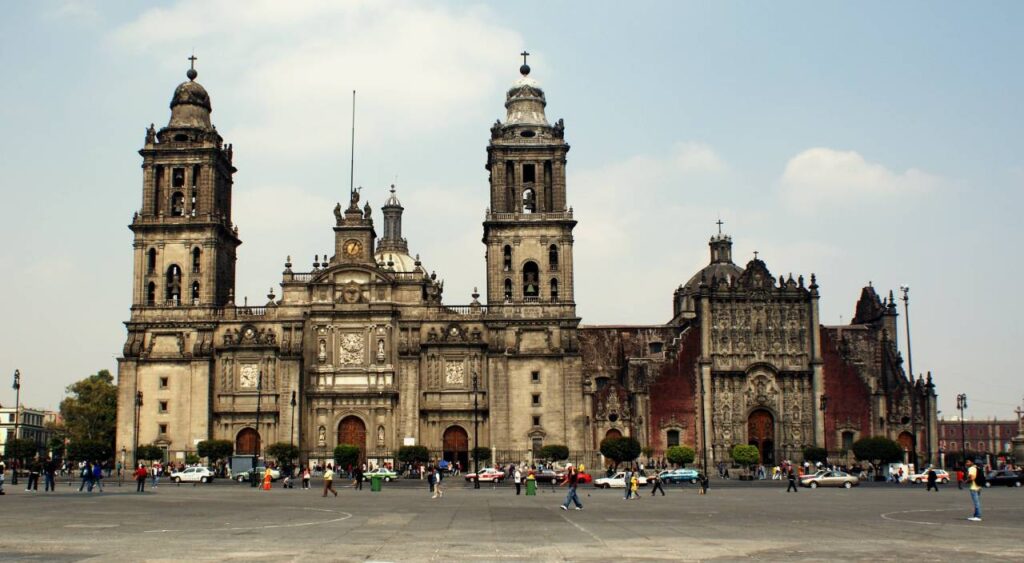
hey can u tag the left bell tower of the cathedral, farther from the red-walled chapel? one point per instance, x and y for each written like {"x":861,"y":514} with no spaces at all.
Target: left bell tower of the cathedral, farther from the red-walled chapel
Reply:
{"x":185,"y":241}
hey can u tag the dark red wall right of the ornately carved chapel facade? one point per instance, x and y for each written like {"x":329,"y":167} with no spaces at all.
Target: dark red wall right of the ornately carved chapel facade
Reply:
{"x":849,"y":397}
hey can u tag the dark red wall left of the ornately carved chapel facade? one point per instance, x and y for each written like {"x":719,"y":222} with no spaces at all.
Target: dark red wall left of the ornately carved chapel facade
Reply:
{"x":673,"y":394}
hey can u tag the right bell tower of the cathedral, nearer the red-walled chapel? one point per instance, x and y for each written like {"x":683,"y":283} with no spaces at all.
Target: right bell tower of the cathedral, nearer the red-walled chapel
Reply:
{"x":529,"y":228}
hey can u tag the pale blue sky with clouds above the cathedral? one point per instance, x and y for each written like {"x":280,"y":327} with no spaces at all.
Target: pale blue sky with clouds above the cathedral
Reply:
{"x":866,"y":143}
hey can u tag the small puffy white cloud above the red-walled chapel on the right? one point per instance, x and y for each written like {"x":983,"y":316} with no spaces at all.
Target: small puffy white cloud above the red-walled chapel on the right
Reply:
{"x":824,"y":178}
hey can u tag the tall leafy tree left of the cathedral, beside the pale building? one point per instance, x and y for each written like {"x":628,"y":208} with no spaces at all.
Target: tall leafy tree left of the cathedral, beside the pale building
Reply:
{"x":91,"y":411}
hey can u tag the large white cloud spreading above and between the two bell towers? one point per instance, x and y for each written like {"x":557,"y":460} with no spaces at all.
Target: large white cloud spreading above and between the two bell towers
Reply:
{"x":417,"y":69}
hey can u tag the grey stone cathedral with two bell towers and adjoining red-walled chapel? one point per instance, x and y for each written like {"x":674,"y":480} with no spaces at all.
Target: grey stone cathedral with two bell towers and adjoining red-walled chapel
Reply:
{"x":362,"y":351}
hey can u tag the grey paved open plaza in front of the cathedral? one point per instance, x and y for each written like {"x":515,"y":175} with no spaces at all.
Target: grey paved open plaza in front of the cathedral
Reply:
{"x":227,"y":522}
